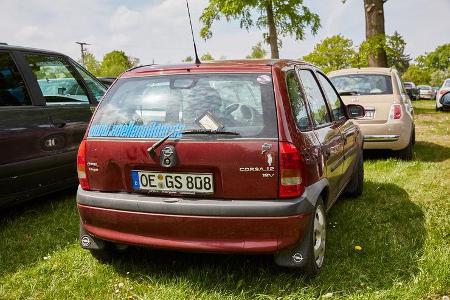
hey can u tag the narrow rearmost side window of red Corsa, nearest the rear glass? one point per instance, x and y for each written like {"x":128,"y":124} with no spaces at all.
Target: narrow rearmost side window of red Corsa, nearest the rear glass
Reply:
{"x":297,"y":100}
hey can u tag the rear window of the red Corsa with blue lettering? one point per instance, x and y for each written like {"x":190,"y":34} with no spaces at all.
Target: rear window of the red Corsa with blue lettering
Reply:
{"x":153,"y":107}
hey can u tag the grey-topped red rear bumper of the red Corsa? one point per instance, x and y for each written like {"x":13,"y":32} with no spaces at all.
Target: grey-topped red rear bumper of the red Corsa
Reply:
{"x":226,"y":226}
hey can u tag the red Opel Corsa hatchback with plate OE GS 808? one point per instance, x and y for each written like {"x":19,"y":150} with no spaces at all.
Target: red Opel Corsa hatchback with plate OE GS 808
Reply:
{"x":230,"y":157}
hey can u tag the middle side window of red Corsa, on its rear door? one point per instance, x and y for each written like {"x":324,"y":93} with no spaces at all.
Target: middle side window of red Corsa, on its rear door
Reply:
{"x":315,"y":98}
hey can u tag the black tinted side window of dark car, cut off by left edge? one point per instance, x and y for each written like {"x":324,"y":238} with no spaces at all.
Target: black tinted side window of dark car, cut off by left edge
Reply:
{"x":12,"y":87}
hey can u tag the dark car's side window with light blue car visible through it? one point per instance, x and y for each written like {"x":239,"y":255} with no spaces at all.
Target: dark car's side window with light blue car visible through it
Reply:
{"x":57,"y":80}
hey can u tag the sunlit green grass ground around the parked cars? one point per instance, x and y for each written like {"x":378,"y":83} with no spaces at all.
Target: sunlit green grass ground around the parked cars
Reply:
{"x":401,"y":222}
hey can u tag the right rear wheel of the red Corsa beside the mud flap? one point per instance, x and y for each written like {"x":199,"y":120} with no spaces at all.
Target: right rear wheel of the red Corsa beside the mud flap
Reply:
{"x":313,"y":263}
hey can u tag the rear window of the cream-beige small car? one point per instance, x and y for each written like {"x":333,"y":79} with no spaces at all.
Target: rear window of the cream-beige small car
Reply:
{"x":363,"y":84}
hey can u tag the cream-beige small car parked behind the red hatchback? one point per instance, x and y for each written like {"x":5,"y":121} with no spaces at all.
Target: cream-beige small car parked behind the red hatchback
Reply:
{"x":389,"y":122}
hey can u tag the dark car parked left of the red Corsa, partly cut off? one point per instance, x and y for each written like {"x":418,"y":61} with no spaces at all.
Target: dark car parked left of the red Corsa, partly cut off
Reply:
{"x":46,"y":100}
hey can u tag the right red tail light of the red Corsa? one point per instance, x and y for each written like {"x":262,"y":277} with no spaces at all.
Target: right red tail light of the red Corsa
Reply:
{"x":291,"y":167}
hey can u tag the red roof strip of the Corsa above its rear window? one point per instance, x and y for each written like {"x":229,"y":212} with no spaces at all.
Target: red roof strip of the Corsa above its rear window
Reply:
{"x":244,"y":65}
